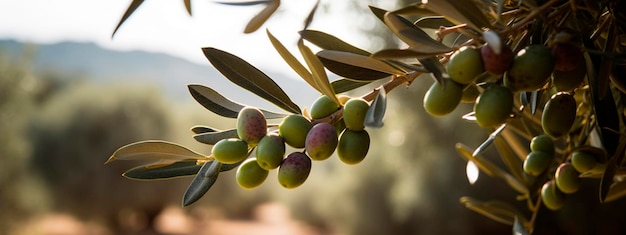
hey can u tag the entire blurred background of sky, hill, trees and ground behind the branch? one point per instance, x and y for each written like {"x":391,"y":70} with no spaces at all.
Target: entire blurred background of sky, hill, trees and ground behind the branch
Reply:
{"x":67,"y":103}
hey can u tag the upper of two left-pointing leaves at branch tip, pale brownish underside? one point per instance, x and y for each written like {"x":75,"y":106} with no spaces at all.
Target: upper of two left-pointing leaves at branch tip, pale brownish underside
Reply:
{"x":155,"y":151}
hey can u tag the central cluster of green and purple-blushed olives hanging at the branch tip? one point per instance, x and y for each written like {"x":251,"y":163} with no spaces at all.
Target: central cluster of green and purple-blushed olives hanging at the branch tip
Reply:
{"x":318,"y":139}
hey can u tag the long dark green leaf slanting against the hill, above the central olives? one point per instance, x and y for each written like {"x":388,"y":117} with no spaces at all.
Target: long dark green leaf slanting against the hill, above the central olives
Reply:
{"x":250,"y":78}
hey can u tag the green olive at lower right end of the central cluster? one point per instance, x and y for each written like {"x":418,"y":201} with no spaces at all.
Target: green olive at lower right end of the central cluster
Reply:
{"x":353,"y":146}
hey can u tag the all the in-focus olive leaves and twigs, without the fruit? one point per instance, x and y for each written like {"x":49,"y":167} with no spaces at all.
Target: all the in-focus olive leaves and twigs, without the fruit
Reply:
{"x":598,"y":25}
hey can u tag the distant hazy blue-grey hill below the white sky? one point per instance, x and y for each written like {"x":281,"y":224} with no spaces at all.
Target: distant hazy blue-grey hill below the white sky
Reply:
{"x":172,"y":73}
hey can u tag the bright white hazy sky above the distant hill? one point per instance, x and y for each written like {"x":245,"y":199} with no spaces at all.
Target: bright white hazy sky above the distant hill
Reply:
{"x":165,"y":26}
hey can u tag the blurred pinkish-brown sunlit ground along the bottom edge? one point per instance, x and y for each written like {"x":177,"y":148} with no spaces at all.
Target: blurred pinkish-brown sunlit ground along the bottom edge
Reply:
{"x":268,"y":218}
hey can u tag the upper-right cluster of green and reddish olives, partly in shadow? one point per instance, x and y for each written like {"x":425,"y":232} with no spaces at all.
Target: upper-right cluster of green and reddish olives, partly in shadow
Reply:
{"x":530,"y":69}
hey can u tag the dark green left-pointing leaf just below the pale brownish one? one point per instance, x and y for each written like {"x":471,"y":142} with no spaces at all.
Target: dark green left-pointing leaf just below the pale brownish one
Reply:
{"x":177,"y":169}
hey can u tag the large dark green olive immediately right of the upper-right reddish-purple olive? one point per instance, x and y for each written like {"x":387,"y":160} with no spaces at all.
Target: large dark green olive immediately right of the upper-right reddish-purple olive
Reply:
{"x":531,"y":68}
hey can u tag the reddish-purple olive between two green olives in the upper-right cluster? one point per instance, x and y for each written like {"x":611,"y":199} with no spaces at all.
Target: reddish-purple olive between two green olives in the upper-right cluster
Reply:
{"x":496,"y":64}
